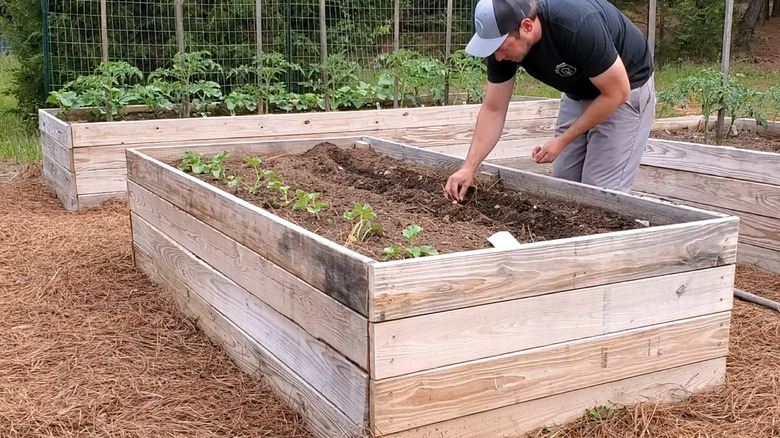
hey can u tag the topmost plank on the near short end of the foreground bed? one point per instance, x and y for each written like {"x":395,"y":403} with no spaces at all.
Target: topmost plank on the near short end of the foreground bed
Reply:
{"x":433,"y":284}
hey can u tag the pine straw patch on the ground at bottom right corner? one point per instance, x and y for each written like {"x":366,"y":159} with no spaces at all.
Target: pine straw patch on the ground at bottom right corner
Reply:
{"x":746,"y":405}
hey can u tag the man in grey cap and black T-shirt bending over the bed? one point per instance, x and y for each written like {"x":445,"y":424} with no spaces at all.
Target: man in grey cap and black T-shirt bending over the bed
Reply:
{"x":586,"y":49}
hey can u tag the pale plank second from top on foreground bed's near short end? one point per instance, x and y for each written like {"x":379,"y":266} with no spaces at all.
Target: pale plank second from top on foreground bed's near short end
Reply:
{"x":403,"y":346}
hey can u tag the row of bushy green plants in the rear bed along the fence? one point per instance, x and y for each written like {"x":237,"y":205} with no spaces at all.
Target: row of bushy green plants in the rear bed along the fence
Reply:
{"x":188,"y":87}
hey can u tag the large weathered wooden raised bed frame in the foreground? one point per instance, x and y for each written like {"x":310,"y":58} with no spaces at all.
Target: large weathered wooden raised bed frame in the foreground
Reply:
{"x":484,"y":342}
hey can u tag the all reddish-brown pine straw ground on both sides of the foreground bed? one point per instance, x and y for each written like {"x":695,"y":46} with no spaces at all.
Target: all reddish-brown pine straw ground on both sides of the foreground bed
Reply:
{"x":90,"y":348}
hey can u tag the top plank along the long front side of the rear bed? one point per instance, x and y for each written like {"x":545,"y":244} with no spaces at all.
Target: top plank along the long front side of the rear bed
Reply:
{"x":117,"y":133}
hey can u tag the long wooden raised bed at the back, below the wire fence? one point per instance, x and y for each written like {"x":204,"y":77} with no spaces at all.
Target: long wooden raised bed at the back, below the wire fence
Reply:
{"x":85,"y":162}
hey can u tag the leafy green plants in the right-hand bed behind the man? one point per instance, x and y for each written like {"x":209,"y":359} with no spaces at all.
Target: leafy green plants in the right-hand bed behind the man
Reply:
{"x":711,"y":93}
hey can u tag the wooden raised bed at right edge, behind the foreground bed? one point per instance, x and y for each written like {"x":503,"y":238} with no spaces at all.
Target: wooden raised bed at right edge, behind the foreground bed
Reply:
{"x":738,"y":182}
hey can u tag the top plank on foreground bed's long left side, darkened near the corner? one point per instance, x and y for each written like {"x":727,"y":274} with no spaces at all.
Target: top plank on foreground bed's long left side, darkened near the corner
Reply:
{"x":331,"y":268}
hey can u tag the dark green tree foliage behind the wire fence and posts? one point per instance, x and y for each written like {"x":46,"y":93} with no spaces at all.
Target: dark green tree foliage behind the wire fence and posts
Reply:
{"x":142,"y":32}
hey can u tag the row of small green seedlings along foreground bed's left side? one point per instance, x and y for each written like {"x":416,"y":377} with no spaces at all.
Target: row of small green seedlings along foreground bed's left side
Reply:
{"x":360,"y":218}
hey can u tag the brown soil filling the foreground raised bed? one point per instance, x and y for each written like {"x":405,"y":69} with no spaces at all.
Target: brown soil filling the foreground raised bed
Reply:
{"x":402,"y":194}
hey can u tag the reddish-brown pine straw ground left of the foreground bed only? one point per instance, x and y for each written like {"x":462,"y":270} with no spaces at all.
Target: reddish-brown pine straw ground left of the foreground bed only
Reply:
{"x":90,"y":348}
